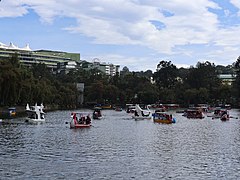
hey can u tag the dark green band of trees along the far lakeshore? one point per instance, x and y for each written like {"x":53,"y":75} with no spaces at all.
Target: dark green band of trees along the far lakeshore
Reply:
{"x":168,"y":84}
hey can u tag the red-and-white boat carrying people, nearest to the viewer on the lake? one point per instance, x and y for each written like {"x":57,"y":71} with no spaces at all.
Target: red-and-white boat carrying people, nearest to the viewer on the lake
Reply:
{"x":80,"y":120}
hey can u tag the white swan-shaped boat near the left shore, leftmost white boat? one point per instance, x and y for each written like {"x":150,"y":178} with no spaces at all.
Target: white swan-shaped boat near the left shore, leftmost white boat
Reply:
{"x":35,"y":113}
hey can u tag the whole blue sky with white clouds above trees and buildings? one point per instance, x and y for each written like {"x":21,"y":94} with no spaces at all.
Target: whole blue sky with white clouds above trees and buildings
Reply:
{"x":133,"y":33}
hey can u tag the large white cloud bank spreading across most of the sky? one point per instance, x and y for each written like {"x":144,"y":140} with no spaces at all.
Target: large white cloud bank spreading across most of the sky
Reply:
{"x":167,"y":27}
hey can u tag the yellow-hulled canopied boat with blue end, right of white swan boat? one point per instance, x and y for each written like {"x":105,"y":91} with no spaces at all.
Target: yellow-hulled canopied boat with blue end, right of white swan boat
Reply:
{"x":163,"y":117}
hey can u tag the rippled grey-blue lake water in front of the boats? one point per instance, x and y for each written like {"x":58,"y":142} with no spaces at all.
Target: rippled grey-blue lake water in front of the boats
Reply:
{"x":118,"y":147}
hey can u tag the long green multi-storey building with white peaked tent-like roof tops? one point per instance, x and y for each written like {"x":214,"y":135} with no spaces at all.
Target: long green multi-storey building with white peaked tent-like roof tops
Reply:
{"x":28,"y":57}
